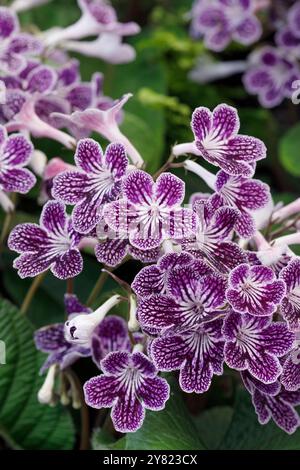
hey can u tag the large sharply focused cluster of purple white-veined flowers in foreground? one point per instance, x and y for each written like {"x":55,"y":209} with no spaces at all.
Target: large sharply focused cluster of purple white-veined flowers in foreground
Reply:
{"x":215,"y":293}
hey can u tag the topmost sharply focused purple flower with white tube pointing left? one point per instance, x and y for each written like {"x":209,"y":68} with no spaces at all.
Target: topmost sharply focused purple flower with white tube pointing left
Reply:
{"x":216,"y":139}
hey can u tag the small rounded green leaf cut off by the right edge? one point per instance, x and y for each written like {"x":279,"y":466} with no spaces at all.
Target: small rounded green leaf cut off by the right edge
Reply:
{"x":289,"y":150}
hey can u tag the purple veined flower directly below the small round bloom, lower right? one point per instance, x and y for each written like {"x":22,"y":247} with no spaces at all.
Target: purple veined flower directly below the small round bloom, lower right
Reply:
{"x":256,"y":344}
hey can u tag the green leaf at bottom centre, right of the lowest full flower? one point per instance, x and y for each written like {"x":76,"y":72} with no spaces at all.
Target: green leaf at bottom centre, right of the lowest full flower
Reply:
{"x":169,"y":429}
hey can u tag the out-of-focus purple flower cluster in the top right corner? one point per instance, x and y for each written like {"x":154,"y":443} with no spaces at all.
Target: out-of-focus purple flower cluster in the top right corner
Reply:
{"x":270,"y":70}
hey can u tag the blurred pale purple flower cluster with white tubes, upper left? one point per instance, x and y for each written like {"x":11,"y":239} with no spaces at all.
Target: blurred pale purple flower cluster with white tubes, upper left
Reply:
{"x":43,"y":91}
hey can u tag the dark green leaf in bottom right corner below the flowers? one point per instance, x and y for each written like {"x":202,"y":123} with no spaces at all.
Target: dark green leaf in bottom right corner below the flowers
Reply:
{"x":244,"y":431}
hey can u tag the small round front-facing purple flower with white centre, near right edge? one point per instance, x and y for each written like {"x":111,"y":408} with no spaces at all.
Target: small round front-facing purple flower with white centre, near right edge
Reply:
{"x":254,"y":290}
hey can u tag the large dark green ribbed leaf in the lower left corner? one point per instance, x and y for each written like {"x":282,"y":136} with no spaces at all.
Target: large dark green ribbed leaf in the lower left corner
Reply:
{"x":24,"y":423}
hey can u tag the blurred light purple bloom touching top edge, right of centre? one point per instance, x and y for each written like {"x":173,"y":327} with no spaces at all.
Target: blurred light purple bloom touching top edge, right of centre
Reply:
{"x":221,"y":21}
